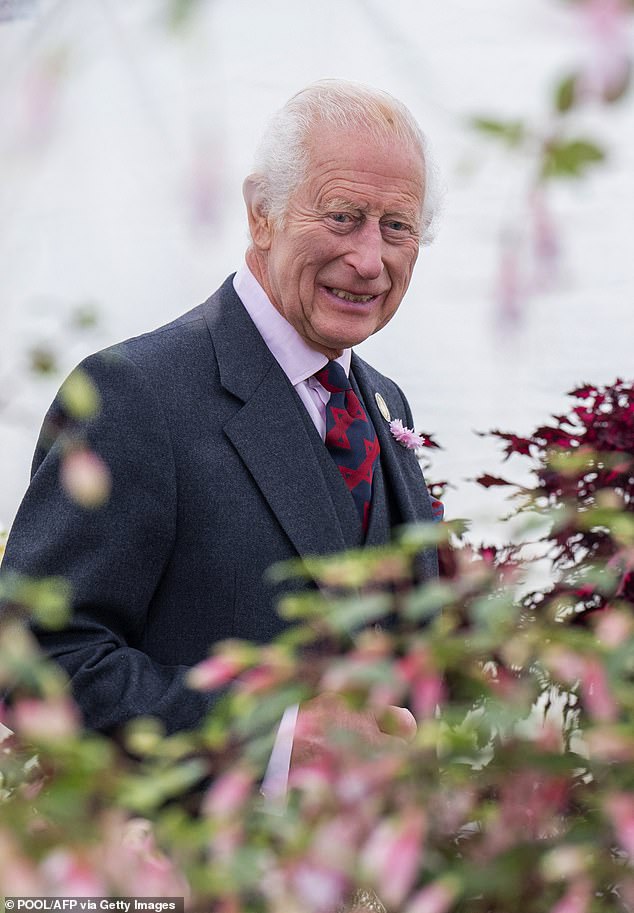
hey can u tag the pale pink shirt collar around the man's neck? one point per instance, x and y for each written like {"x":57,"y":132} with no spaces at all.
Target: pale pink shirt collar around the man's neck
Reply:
{"x":290,"y":350}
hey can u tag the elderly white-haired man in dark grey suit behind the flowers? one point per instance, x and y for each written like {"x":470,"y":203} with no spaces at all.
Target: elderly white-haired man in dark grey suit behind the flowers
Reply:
{"x":246,"y":432}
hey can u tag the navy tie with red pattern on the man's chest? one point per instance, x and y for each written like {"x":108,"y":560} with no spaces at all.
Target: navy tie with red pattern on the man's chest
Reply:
{"x":350,"y":437}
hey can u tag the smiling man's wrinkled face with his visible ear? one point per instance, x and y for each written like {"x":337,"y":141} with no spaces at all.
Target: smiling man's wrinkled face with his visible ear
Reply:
{"x":340,"y":264}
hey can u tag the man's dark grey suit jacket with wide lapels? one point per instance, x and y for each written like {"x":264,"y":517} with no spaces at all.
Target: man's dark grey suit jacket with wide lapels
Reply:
{"x":217,"y":473}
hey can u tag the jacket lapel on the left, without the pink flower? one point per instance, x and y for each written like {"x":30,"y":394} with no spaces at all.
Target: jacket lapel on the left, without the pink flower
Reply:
{"x":267,"y":429}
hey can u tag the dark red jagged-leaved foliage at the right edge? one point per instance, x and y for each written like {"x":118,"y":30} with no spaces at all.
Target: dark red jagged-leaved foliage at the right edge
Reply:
{"x":584,"y":475}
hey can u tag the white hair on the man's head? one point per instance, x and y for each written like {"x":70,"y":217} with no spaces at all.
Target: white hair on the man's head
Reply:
{"x":281,"y":158}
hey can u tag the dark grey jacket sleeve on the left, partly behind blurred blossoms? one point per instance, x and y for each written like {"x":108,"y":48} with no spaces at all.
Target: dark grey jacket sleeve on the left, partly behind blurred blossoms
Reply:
{"x":113,"y":555}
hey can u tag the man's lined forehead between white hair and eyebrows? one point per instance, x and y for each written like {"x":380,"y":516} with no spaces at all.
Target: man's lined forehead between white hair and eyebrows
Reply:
{"x":355,"y":165}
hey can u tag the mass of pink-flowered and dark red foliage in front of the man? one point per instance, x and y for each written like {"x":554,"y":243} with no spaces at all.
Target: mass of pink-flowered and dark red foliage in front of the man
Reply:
{"x":517,"y":792}
